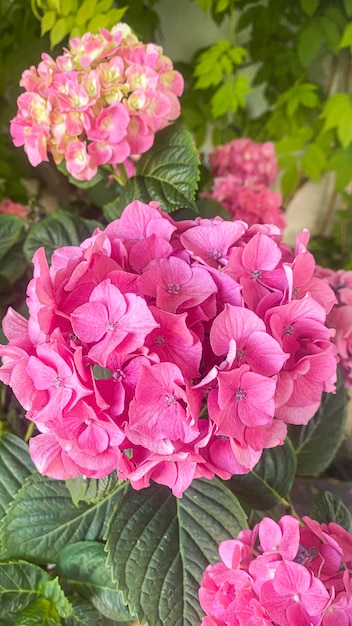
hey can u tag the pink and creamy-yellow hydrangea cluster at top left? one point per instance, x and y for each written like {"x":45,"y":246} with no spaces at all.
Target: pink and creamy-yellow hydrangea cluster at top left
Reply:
{"x":98,"y":103}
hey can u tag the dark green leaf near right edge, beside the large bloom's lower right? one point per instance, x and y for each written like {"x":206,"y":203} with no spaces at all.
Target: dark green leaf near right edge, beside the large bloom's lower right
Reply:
{"x":317,"y":442}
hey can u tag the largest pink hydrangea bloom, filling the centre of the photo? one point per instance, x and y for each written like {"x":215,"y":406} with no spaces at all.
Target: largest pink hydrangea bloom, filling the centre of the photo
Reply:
{"x":169,"y":350}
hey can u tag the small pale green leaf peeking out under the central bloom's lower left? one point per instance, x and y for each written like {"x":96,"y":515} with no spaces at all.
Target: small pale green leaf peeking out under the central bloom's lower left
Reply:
{"x":91,"y":490}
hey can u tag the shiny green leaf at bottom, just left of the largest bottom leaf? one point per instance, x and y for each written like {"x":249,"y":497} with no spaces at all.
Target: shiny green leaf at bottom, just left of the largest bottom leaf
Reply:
{"x":83,"y":565}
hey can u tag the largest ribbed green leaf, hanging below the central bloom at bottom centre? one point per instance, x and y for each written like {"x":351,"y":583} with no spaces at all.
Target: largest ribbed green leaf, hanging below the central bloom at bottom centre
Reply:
{"x":158,"y":547}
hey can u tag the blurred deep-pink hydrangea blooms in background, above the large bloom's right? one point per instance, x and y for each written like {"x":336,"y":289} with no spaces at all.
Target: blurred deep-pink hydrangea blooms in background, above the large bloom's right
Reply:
{"x":243,"y":171}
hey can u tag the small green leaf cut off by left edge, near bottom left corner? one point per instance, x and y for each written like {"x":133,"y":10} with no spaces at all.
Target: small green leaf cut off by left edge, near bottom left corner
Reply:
{"x":19,"y":586}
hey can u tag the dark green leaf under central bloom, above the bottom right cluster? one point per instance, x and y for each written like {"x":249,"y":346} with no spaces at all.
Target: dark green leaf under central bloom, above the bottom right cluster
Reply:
{"x":270,"y":482}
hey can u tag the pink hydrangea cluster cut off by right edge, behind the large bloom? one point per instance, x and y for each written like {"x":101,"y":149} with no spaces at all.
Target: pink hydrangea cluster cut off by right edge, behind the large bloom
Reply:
{"x":340,"y":318}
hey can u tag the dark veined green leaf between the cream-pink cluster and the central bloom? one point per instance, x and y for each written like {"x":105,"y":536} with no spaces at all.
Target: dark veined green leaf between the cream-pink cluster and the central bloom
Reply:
{"x":167,"y":173}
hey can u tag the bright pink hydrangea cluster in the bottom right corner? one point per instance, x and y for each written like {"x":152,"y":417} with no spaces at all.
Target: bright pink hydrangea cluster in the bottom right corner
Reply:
{"x":281,"y":574}
